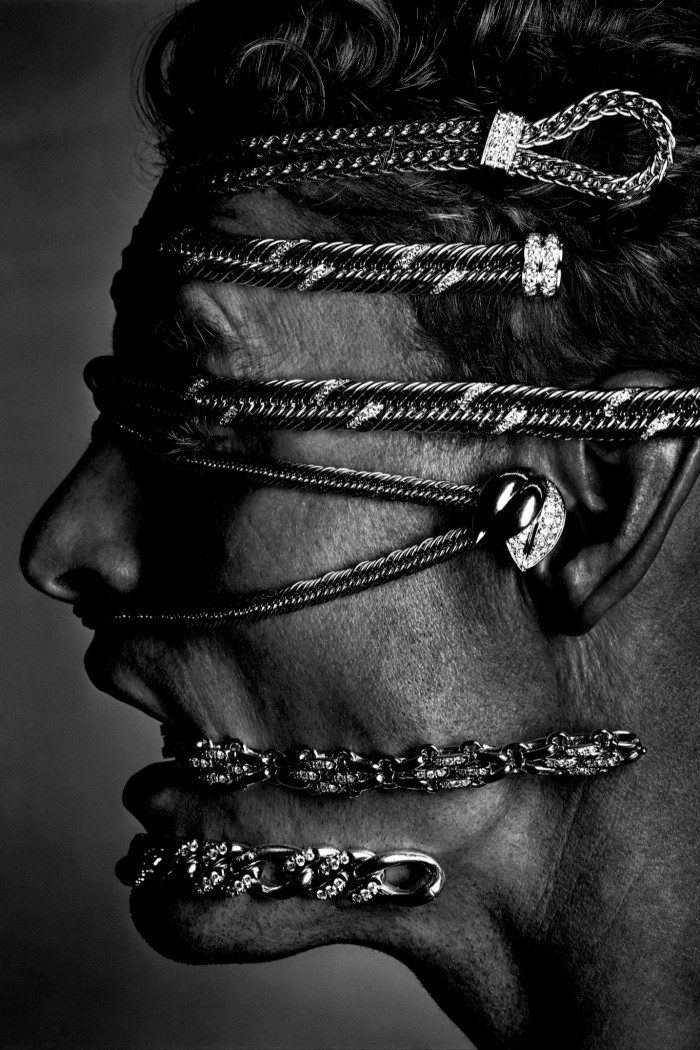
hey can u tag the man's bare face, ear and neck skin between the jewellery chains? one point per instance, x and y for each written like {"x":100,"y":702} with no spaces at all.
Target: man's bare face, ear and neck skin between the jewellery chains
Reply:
{"x":570,"y":906}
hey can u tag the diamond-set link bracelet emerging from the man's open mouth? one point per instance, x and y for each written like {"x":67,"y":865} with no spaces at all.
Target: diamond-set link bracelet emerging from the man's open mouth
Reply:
{"x":428,"y":769}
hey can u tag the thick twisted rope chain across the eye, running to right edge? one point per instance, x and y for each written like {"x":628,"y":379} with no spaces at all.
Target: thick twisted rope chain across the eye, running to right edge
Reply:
{"x":547,"y":412}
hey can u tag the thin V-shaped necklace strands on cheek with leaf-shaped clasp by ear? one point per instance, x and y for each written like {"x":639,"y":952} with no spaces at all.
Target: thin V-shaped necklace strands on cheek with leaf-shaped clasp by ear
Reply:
{"x":505,"y":507}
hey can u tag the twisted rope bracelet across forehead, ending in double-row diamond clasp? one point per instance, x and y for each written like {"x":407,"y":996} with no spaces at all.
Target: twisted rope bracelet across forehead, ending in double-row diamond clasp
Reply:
{"x":532,"y":267}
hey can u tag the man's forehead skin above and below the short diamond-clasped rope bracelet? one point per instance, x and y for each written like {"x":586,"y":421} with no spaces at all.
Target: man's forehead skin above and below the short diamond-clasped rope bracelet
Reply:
{"x":269,"y":333}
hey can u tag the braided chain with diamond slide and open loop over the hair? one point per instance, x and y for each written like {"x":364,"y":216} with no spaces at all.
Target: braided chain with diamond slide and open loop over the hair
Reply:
{"x":508,"y":144}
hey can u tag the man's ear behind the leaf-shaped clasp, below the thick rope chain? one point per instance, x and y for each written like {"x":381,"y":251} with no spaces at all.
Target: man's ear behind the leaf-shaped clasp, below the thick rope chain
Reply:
{"x":622,"y":500}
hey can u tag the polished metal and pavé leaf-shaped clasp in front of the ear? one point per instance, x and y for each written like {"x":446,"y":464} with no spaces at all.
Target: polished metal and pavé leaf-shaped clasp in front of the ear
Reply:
{"x":526,"y":513}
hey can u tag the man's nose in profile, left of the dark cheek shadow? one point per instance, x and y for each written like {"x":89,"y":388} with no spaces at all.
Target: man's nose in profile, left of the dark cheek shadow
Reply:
{"x":86,"y":540}
